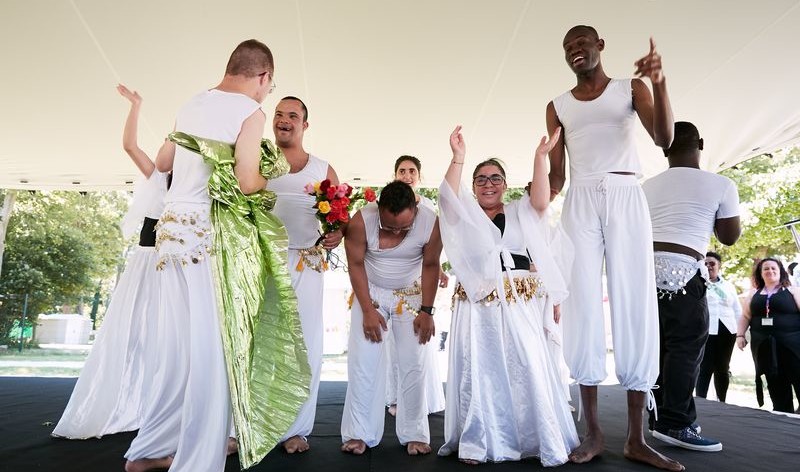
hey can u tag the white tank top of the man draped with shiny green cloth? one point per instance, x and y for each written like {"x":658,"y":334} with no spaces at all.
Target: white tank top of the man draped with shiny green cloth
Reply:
{"x":212,"y":114}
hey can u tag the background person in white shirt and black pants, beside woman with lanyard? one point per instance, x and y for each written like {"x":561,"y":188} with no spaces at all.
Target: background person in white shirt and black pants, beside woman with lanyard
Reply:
{"x":724,"y":312}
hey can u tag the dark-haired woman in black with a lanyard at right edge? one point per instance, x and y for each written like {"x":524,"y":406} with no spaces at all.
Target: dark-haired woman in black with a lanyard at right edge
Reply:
{"x":773,"y":316}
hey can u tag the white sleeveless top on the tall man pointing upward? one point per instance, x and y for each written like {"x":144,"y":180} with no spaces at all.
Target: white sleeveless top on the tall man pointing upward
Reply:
{"x":599,"y":134}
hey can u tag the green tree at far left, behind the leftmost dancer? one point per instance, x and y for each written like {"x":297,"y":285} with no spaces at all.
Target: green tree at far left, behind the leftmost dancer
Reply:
{"x":60,"y":246}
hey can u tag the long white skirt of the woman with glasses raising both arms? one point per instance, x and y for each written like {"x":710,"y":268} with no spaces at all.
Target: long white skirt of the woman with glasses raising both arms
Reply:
{"x":505,"y":400}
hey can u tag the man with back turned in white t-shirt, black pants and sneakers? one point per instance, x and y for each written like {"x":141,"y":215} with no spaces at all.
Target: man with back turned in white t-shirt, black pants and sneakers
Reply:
{"x":686,"y":206}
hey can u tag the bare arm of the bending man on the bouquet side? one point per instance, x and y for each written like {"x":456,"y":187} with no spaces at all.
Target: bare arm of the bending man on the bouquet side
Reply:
{"x":355,"y":246}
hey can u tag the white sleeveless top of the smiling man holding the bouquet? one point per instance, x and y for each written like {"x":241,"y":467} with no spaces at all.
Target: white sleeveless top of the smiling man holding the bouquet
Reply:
{"x":295,"y":207}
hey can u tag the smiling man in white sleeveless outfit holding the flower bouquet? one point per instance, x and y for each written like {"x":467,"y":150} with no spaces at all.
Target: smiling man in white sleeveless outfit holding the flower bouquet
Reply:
{"x":306,"y":258}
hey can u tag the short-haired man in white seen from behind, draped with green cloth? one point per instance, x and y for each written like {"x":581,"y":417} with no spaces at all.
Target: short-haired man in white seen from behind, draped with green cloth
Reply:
{"x":187,"y":422}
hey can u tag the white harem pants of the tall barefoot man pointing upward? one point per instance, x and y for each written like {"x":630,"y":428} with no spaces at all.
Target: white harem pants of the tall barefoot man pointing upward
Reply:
{"x":607,"y":217}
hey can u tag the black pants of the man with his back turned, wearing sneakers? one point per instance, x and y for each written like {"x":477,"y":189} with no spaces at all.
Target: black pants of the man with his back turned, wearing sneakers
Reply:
{"x":683,"y":322}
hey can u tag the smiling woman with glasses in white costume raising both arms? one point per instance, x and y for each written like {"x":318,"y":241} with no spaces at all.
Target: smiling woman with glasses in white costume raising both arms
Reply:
{"x":505,"y":400}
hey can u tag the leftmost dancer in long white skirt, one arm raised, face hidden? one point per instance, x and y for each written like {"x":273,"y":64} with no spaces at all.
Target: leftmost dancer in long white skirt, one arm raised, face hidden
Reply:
{"x":108,"y":396}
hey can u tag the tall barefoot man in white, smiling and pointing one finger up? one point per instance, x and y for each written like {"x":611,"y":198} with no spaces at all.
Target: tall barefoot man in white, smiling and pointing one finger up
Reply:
{"x":605,"y":214}
